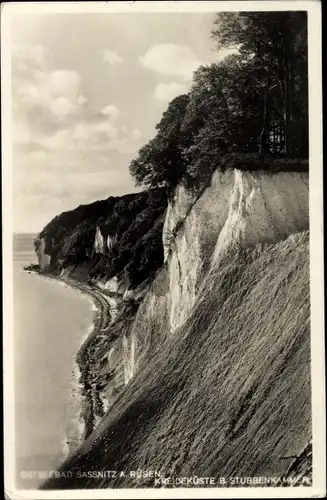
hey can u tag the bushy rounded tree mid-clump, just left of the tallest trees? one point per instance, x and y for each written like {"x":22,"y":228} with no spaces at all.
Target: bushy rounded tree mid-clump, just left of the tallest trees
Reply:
{"x":222,"y":115}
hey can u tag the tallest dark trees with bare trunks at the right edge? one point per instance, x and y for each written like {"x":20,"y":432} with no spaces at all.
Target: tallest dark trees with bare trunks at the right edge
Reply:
{"x":277,"y":44}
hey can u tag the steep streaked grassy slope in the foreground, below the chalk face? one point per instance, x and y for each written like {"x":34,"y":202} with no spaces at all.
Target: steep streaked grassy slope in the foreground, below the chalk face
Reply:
{"x":224,"y":395}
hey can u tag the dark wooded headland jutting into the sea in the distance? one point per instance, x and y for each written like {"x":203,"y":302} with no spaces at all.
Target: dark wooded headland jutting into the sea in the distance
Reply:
{"x":135,"y":220}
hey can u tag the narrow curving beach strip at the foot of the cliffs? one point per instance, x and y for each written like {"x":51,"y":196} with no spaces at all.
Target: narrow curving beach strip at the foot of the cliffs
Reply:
{"x":101,"y":320}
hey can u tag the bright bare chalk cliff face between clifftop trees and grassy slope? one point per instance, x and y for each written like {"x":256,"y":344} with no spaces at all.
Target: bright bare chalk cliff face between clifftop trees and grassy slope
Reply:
{"x":240,"y":209}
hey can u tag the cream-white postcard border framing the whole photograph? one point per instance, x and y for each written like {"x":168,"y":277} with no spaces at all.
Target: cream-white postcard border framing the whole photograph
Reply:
{"x":316,"y":245}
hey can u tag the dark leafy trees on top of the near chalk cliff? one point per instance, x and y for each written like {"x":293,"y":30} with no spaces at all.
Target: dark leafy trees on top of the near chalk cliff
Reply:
{"x":254,"y":102}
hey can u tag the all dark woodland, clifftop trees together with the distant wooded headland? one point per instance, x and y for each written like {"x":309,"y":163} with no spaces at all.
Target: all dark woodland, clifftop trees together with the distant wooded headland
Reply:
{"x":249,"y":110}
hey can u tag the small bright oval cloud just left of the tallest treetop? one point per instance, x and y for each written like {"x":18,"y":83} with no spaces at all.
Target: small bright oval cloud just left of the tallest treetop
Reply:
{"x":171,"y":59}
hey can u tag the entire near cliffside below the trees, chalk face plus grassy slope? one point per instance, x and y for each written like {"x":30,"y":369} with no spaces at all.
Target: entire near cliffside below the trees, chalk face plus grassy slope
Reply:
{"x":205,"y":367}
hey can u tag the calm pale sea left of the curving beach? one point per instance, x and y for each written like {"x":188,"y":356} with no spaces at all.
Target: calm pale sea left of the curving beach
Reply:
{"x":51,"y":321}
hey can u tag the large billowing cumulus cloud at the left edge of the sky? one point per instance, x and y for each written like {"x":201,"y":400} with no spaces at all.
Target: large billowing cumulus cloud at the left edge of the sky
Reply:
{"x":52,"y":111}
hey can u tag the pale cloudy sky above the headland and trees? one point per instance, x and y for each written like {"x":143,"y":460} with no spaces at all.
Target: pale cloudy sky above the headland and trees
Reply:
{"x":87,"y":92}
